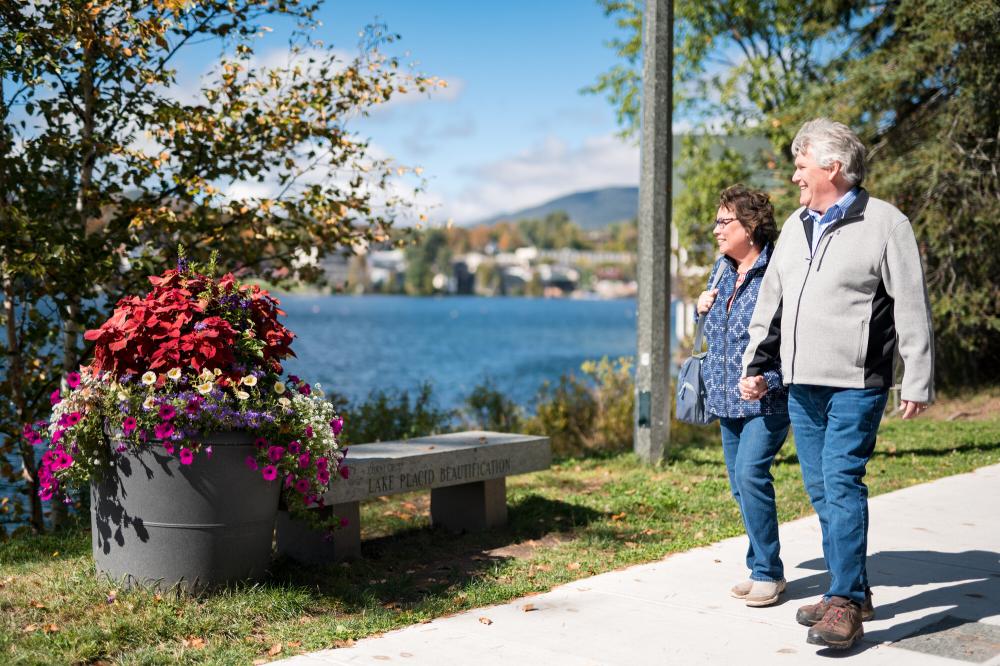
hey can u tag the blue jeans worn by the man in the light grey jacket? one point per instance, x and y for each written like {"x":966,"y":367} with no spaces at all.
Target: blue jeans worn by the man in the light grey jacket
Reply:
{"x":835,"y":432}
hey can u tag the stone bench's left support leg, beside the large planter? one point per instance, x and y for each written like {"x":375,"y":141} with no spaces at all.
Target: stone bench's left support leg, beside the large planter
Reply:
{"x":303,"y":544}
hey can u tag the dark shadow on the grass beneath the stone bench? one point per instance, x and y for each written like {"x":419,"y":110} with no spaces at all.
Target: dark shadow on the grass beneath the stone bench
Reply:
{"x":428,"y":565}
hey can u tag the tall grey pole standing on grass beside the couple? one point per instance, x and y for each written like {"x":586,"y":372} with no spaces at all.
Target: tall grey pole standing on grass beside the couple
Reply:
{"x":652,"y":376}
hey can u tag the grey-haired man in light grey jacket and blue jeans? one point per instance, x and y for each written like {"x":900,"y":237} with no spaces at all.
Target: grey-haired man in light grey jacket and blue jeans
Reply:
{"x":844,"y":284}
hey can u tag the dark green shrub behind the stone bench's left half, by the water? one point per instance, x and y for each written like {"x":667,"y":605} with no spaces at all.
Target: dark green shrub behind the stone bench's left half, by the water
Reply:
{"x":391,"y":415}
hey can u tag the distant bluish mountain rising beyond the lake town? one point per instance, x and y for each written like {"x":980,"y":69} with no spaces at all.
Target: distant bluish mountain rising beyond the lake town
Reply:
{"x":594,"y":209}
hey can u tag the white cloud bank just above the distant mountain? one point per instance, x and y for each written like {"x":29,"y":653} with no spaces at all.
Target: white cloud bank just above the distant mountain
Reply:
{"x":547,"y":170}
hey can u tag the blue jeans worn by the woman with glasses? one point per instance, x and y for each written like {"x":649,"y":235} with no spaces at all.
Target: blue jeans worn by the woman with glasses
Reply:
{"x":749,"y":446}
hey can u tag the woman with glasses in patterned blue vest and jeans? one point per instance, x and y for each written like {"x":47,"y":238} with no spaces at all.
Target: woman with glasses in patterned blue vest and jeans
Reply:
{"x":752,"y":431}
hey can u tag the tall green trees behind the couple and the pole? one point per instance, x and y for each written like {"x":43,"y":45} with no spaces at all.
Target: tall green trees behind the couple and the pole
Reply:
{"x":915,"y":78}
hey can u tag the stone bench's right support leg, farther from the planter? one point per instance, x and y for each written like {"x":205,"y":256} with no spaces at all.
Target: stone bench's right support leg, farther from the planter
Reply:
{"x":470,"y":506}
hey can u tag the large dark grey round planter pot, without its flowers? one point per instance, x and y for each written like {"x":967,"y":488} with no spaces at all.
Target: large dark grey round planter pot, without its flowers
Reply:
{"x":158,"y":523}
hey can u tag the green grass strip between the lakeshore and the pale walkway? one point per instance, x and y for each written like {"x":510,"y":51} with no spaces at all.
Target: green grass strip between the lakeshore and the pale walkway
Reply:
{"x":579,"y":518}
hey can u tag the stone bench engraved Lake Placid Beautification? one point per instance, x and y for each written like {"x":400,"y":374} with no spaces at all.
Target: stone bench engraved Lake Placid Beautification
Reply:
{"x":465,"y":471}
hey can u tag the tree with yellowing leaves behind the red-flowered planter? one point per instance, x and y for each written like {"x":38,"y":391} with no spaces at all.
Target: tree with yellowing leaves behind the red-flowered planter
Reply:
{"x":108,"y":164}
